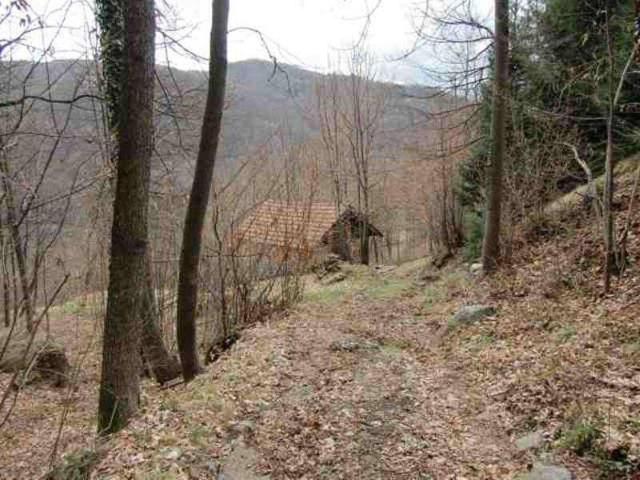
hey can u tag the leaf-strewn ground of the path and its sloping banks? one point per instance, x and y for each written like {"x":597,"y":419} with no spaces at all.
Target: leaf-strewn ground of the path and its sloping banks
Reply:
{"x":376,"y":376}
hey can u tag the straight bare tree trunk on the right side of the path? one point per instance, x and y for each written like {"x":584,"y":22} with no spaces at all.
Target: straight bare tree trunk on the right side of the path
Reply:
{"x":491,"y":244}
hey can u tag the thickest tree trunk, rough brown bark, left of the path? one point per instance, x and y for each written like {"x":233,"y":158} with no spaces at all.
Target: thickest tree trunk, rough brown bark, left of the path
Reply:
{"x":119,"y":386}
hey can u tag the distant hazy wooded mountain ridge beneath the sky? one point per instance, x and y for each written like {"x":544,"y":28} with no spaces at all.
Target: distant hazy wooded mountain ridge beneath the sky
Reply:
{"x":262,"y":104}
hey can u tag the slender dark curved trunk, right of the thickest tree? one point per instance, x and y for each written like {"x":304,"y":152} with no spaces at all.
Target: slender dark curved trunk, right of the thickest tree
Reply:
{"x":200,"y":190}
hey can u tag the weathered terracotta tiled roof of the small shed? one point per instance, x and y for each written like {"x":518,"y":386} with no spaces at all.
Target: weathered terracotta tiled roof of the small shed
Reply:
{"x":296,"y":225}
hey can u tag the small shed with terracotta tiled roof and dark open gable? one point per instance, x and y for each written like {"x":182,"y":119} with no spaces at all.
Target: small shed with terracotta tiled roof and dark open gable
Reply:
{"x":304,"y":230}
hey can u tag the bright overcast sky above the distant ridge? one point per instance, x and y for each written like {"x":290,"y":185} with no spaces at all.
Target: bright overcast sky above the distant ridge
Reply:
{"x":309,"y":33}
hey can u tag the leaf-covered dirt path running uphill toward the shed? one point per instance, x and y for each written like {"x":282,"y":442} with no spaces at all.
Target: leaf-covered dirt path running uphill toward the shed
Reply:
{"x":354,"y":392}
